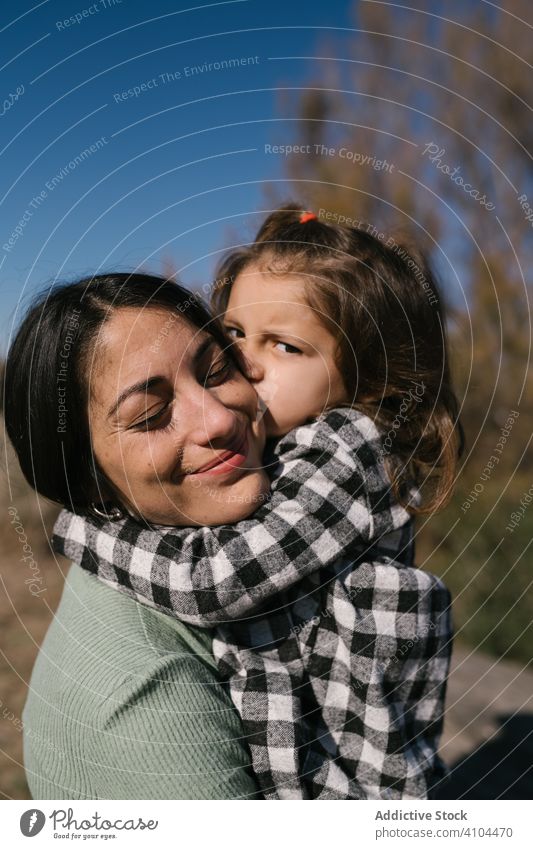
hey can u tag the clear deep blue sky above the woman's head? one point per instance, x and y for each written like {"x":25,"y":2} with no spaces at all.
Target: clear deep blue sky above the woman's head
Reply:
{"x":120,"y":146}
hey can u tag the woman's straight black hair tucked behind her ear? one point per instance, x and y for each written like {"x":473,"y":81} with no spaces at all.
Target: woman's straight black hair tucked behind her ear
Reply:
{"x":46,"y":386}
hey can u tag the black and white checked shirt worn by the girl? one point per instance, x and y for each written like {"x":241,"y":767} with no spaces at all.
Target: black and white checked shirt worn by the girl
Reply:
{"x":335,"y":647}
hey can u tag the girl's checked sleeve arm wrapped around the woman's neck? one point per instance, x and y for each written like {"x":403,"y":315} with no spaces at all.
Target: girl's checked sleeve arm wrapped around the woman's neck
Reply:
{"x":329,"y":493}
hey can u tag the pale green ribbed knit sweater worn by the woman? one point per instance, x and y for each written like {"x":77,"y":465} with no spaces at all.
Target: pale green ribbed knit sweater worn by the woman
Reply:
{"x":125,"y":703}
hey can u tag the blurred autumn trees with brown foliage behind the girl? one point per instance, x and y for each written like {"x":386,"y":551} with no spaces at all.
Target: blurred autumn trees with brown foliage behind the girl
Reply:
{"x":404,"y":82}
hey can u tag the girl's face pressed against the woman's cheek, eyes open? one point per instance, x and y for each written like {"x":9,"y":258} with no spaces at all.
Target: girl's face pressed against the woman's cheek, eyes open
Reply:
{"x":289,"y":351}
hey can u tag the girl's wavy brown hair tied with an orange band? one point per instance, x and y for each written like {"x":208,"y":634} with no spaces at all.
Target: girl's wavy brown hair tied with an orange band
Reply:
{"x":382,"y":302}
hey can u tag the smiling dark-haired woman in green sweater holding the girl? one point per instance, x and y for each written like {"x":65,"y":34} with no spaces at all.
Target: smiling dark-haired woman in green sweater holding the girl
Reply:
{"x":124,"y":702}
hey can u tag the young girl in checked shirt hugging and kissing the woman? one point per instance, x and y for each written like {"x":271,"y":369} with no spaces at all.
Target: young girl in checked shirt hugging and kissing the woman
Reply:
{"x":335,"y":647}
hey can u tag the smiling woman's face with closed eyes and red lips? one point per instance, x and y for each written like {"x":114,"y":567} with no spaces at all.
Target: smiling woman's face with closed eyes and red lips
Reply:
{"x":174,"y":424}
